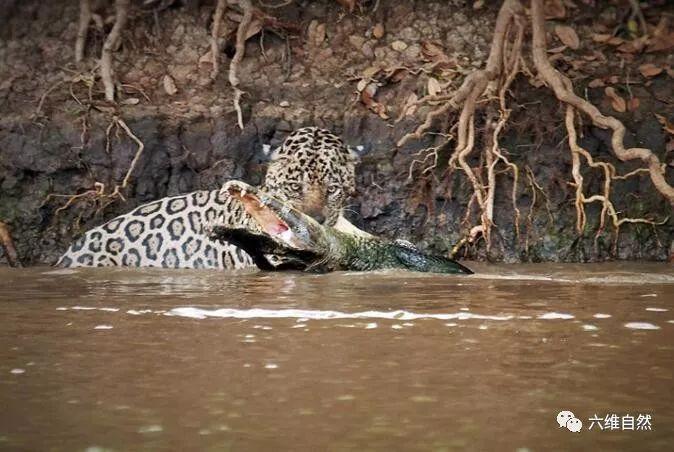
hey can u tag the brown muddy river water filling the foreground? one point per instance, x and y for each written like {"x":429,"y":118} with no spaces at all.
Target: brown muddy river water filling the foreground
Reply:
{"x":197,"y":360}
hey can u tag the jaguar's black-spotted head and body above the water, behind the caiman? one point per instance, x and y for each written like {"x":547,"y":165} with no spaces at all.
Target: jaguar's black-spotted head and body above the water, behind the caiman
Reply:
{"x":312,"y":170}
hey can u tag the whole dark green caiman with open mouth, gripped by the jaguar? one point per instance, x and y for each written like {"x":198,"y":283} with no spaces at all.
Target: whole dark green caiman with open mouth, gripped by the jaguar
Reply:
{"x":285,"y":238}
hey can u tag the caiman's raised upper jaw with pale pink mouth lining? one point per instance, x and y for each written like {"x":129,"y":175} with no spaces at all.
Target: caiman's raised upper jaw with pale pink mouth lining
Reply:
{"x":273,"y":218}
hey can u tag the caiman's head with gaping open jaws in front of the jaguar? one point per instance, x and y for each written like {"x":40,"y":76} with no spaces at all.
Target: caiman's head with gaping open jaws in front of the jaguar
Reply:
{"x":286,"y":238}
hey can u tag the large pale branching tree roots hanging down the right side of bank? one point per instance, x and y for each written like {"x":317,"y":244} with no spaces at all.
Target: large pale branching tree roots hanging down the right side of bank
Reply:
{"x":504,"y":63}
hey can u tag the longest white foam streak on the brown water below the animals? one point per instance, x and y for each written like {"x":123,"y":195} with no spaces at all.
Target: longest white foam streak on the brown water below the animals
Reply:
{"x":305,"y":314}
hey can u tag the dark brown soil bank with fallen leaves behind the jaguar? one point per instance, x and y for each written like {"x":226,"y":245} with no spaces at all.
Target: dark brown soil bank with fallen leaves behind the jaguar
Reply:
{"x":64,"y":145}
